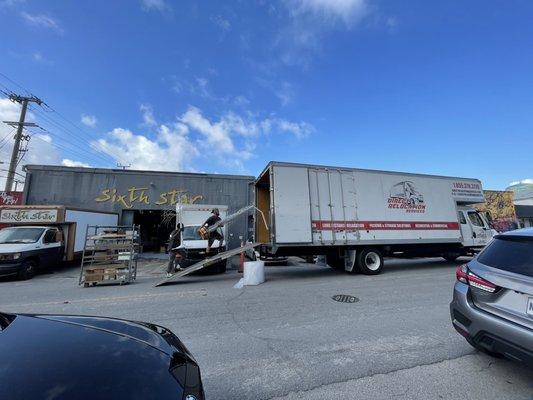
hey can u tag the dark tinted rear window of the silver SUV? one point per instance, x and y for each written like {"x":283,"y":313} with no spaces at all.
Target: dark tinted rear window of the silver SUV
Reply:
{"x":510,"y":253}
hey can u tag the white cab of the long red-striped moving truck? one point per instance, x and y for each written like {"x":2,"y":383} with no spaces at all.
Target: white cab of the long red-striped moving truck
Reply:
{"x":475,"y":229}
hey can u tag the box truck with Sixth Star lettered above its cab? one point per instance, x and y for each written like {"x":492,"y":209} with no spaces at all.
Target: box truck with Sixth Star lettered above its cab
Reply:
{"x":44,"y":236}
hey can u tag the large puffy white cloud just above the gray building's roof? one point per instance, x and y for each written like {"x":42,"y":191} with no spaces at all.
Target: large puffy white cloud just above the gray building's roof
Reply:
{"x":229,"y":140}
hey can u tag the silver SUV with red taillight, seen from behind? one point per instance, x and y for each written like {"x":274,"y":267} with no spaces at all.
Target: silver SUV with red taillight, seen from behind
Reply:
{"x":492,"y":303}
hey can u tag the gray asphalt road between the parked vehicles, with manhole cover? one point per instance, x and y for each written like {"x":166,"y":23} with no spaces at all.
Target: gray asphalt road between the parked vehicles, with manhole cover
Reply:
{"x":287,"y":338}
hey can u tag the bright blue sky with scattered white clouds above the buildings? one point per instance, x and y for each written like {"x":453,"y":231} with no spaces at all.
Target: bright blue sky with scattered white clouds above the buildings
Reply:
{"x":420,"y":86}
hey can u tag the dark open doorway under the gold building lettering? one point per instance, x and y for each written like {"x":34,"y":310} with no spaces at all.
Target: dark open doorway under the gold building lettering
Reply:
{"x":156,"y":226}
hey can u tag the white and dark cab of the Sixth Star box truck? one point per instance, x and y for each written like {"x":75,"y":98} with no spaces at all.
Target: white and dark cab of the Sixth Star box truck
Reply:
{"x":23,"y":249}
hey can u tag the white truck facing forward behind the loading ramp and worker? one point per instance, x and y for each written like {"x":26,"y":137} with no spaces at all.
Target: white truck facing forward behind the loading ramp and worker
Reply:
{"x":190,"y":217}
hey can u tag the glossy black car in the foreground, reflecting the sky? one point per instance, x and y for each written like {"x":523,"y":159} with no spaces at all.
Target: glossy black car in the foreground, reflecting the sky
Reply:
{"x":77,"y":357}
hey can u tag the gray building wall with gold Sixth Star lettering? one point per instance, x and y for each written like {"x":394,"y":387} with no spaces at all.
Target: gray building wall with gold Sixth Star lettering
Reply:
{"x":124,"y":191}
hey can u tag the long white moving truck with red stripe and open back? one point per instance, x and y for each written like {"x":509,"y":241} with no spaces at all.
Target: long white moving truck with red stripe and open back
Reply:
{"x":356,"y":217}
